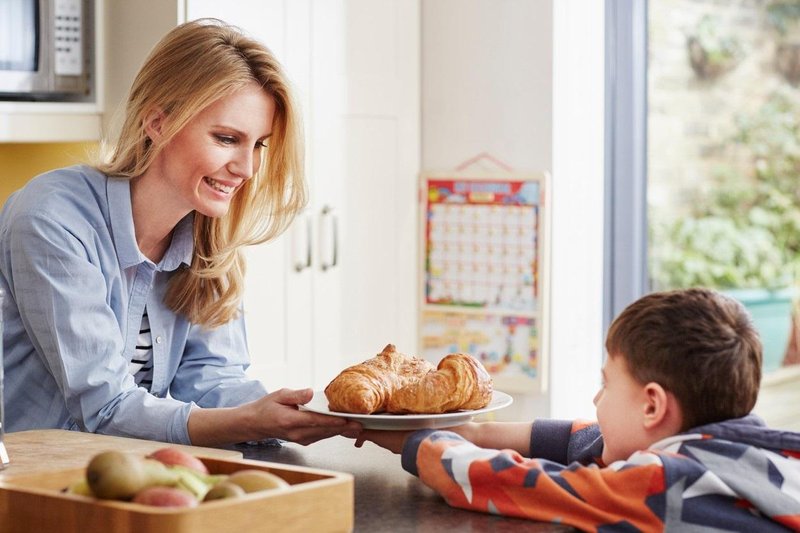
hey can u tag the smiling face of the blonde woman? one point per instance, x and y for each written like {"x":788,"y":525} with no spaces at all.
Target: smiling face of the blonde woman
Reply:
{"x":217,"y":151}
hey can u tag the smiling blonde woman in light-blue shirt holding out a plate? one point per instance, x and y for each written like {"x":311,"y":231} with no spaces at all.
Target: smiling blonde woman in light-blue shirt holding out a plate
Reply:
{"x":124,"y":281}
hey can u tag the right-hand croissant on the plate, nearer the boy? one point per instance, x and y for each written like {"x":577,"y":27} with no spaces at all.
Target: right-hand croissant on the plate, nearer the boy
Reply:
{"x":460,"y":382}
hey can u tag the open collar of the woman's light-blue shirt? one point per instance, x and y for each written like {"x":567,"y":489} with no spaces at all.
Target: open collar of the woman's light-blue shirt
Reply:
{"x":120,"y":211}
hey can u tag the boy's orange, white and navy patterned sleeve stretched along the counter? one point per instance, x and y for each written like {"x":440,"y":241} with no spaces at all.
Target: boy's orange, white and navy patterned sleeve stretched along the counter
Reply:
{"x":503,"y":482}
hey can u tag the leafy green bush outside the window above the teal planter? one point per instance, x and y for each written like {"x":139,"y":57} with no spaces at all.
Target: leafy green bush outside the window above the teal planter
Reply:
{"x":745,"y":231}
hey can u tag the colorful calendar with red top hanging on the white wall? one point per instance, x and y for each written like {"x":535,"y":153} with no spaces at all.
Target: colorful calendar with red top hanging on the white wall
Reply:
{"x":484,"y":252}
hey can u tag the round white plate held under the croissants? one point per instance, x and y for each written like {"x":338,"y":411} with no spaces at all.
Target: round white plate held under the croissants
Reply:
{"x":319,"y":404}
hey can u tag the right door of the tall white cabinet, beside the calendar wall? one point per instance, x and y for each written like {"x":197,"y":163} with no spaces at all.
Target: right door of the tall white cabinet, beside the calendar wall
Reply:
{"x":364,"y":141}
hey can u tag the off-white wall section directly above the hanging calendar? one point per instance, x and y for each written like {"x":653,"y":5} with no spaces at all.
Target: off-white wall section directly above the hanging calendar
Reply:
{"x":487,"y":82}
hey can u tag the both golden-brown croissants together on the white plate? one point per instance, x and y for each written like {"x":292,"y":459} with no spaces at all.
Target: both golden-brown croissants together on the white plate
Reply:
{"x":395,"y":383}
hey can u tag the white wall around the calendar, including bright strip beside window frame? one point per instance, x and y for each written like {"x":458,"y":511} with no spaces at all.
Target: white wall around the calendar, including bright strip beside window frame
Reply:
{"x":523,"y":81}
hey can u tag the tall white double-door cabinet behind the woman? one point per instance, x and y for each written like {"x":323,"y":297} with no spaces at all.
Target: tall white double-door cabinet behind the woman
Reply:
{"x":355,"y":64}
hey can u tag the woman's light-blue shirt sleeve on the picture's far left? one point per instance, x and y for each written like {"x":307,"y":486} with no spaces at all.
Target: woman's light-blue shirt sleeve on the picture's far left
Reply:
{"x":56,"y":272}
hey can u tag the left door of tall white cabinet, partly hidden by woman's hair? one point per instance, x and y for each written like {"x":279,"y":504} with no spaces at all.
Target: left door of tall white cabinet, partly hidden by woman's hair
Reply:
{"x":276,"y":289}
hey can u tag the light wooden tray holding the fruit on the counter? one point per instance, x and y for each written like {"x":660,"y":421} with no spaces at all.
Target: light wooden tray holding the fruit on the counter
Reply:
{"x":317,"y":500}
